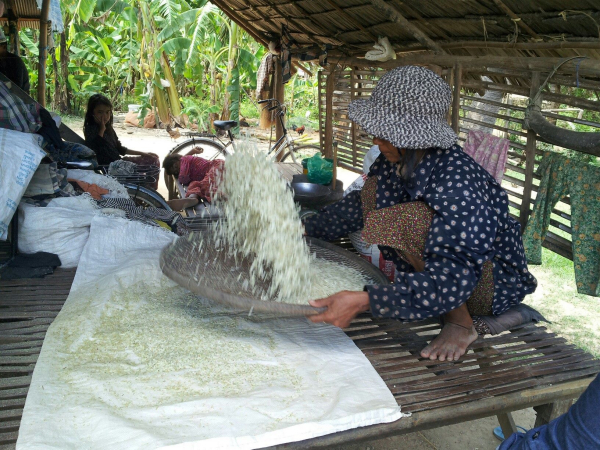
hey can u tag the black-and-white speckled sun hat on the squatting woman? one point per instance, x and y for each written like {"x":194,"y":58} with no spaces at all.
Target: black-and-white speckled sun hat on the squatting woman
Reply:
{"x":408,"y":108}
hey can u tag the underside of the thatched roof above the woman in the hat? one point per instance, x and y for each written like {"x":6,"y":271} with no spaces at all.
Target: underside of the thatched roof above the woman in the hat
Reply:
{"x":458,"y":27}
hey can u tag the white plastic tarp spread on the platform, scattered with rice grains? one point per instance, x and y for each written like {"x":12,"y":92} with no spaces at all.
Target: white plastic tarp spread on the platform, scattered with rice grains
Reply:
{"x":133,"y":361}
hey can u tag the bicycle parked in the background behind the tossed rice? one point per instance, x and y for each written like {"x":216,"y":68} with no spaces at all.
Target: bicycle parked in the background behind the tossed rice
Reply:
{"x":214,"y":147}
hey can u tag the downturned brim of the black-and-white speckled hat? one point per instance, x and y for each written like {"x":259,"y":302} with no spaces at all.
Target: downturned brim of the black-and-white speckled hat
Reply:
{"x":413,"y":132}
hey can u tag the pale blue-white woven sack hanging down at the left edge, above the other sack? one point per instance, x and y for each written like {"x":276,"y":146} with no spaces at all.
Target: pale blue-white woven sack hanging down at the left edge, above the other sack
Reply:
{"x":20,"y":156}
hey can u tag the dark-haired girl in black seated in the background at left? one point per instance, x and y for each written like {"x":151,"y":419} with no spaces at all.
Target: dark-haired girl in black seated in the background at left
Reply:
{"x":100,"y":136}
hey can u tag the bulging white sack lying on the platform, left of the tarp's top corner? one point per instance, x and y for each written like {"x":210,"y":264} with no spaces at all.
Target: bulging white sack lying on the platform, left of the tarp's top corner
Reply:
{"x":61,"y":231}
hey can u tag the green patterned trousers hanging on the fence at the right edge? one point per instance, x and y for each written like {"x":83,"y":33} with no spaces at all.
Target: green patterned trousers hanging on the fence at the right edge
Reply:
{"x":581,"y":181}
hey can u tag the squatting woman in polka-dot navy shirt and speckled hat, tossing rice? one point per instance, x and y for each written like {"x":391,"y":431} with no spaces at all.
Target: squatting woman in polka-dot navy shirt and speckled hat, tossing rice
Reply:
{"x":437,"y":214}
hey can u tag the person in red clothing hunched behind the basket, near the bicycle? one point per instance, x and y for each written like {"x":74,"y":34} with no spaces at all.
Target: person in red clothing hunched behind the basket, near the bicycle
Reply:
{"x":198,"y":174}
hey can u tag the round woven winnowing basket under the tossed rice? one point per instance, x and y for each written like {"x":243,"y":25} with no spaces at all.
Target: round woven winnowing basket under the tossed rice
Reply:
{"x":213,"y":273}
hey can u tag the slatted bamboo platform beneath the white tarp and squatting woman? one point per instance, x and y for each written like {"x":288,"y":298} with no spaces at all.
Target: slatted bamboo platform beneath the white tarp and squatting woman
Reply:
{"x":526,"y":367}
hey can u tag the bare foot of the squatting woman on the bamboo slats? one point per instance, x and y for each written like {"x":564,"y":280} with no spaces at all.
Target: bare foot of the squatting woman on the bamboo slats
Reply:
{"x":451,"y":343}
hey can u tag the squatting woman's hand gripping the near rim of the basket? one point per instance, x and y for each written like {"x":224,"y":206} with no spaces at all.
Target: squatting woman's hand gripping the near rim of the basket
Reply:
{"x":341,"y":307}
